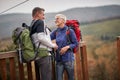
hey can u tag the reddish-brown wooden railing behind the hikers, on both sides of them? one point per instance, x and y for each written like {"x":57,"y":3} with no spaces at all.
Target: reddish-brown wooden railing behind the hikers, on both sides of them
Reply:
{"x":10,"y":67}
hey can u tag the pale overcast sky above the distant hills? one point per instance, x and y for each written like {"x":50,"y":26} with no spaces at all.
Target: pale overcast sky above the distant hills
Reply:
{"x":50,"y":5}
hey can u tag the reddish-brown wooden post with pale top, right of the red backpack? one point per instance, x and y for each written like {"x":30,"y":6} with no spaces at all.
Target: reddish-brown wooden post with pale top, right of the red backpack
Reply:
{"x":84,"y":61}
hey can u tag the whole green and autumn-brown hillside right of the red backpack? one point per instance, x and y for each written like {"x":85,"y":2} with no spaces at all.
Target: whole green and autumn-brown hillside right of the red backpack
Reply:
{"x":101,"y":45}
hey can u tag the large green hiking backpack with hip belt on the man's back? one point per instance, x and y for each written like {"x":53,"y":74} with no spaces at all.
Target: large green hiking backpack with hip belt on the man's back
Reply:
{"x":25,"y":47}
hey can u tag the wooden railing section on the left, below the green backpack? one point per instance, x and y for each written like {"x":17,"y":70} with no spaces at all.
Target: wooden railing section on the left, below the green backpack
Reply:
{"x":11,"y":68}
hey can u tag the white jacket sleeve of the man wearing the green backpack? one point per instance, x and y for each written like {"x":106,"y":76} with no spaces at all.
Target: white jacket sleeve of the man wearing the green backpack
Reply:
{"x":45,"y":40}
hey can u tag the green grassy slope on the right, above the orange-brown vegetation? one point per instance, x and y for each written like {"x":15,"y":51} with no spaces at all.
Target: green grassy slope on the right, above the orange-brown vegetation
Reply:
{"x":105,"y":30}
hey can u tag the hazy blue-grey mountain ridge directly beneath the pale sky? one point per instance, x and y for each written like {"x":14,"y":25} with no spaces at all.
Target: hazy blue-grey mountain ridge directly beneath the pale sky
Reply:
{"x":8,"y":22}
